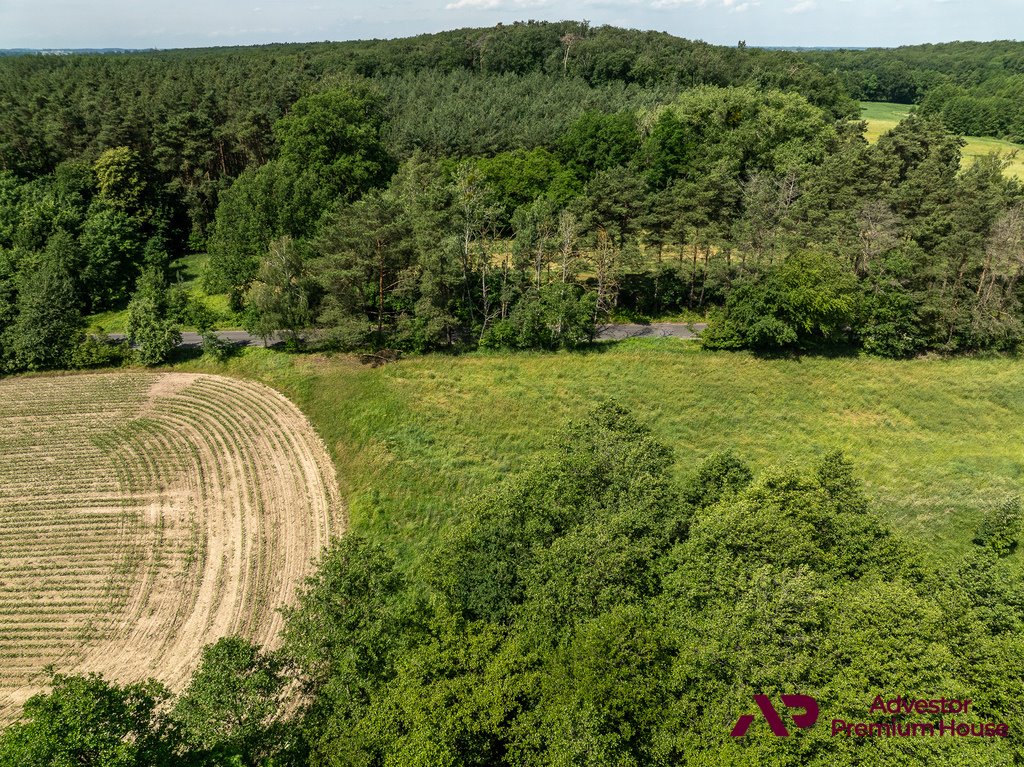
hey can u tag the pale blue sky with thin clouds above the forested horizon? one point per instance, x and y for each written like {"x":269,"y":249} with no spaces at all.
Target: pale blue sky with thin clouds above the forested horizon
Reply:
{"x":177,"y":24}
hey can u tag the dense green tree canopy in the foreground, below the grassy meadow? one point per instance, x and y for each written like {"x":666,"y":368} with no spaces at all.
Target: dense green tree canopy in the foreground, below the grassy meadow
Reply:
{"x":594,"y":611}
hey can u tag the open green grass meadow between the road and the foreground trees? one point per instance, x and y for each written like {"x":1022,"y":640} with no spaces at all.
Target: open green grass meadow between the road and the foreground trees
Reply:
{"x":935,"y":441}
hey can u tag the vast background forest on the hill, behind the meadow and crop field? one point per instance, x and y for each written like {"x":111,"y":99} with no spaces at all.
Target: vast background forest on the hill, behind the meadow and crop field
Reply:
{"x":513,"y":188}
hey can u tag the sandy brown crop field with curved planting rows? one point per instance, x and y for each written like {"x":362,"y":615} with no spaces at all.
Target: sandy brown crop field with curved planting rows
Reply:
{"x":144,"y":516}
